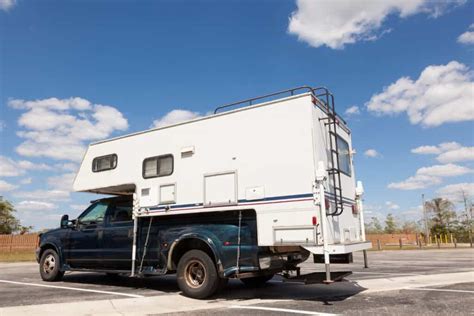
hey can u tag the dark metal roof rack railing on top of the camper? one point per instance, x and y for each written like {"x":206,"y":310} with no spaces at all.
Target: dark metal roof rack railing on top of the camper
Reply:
{"x":323,"y":96}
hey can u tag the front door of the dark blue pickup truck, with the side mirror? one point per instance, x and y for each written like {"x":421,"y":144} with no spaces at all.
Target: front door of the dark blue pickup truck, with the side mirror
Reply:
{"x":85,"y":240}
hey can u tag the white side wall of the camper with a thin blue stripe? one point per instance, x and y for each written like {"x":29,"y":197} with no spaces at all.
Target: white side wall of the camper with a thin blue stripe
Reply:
{"x":261,"y":157}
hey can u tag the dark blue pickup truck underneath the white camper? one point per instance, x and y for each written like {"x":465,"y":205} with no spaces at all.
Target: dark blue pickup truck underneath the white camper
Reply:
{"x":203,"y":249}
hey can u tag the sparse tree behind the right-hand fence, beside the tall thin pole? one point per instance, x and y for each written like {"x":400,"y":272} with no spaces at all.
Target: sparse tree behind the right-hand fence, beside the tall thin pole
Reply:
{"x":442,"y":214}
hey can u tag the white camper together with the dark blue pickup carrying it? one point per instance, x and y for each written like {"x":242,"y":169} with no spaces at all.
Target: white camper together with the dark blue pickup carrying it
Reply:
{"x":248,"y":192}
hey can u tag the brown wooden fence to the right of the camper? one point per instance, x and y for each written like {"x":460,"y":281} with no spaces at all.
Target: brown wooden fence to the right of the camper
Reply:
{"x":390,"y":241}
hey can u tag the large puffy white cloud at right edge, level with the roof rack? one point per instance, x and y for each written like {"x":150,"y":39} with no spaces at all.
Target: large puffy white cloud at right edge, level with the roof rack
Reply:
{"x":442,"y":94}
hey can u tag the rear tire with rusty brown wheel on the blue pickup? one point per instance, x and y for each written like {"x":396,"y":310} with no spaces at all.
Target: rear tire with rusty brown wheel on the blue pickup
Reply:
{"x":197,"y":275}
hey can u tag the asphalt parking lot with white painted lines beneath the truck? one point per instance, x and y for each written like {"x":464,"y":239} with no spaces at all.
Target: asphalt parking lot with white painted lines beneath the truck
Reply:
{"x":396,"y":282}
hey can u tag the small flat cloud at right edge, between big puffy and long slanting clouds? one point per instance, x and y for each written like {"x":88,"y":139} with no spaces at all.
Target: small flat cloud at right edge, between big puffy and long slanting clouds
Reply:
{"x":447,"y":152}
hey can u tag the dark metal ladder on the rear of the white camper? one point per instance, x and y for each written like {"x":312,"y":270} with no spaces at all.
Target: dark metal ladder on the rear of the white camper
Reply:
{"x":334,"y":171}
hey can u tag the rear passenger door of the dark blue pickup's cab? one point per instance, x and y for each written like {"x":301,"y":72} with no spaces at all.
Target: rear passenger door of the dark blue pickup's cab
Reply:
{"x":118,"y":235}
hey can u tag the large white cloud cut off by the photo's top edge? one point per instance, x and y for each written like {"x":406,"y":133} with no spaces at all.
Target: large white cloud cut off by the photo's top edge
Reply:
{"x":341,"y":22}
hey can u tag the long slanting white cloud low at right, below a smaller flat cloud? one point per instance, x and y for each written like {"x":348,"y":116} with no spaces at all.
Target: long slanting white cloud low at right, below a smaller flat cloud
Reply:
{"x":429,"y":176}
